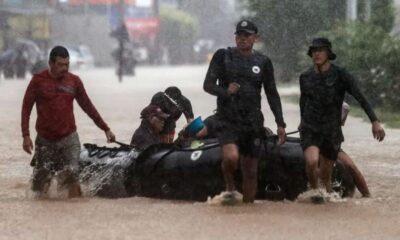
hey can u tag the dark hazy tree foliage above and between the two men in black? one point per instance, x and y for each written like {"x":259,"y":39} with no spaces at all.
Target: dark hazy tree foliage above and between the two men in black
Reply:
{"x":287,"y":26}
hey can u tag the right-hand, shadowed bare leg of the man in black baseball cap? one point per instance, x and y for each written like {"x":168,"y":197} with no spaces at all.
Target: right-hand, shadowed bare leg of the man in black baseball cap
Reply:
{"x":249,"y":174}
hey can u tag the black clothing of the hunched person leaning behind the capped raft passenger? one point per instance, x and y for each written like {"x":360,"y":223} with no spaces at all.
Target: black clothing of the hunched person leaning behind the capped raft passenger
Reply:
{"x":174,"y":107}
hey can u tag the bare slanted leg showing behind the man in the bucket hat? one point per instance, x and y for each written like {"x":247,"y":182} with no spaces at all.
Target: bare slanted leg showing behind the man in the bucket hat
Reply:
{"x":359,"y":180}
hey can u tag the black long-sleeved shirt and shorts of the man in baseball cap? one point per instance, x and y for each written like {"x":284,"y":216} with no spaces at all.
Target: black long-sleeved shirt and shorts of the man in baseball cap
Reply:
{"x":240,"y":114}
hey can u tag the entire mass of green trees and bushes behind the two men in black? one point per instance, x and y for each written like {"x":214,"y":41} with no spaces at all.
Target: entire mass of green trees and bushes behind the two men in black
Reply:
{"x":365,"y":47}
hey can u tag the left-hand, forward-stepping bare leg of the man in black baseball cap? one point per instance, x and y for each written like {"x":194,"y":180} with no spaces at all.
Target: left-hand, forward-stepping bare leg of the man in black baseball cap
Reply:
{"x":230,"y":159}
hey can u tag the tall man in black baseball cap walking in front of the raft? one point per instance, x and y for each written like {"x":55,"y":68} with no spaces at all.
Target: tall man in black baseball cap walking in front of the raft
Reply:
{"x":236,"y":76}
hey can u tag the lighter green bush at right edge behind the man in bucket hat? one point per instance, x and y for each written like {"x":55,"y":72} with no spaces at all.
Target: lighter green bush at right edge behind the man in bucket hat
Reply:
{"x":372,"y":55}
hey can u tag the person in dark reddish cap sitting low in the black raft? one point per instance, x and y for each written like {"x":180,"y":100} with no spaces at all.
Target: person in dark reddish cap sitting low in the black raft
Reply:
{"x":148,"y":133}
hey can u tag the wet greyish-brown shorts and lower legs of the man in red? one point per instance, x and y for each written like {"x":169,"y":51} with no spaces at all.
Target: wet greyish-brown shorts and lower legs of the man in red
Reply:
{"x":58,"y":158}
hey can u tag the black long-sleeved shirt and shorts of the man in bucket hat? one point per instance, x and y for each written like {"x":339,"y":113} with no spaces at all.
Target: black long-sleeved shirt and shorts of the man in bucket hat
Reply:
{"x":321,"y":101}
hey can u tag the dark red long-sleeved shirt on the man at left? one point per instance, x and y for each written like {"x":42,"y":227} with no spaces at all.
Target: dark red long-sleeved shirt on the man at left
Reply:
{"x":54,"y":105}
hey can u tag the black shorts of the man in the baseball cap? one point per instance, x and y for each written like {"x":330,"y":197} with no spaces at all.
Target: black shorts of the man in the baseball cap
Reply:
{"x":248,"y":139}
